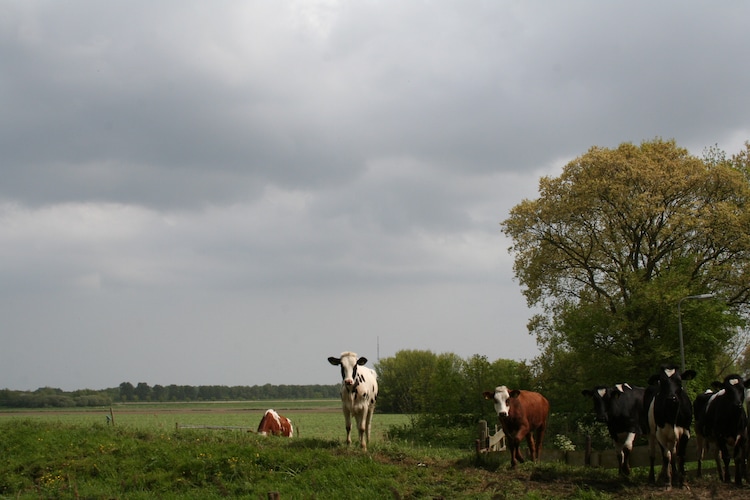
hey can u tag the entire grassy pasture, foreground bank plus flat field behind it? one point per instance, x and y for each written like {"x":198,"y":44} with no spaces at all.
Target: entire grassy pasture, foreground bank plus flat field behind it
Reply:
{"x":76,"y":454}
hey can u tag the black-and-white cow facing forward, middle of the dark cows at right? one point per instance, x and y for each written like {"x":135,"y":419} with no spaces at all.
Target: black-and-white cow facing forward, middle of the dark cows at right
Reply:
{"x":670,"y":415}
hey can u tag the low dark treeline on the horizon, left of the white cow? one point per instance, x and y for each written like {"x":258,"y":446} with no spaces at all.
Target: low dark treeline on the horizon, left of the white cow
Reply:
{"x":48,"y":397}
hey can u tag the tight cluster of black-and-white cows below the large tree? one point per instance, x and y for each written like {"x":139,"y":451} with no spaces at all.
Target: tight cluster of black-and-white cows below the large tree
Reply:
{"x":663,"y":411}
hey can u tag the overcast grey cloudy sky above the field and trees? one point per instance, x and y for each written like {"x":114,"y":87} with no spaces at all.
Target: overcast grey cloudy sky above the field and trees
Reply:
{"x":227,"y":193}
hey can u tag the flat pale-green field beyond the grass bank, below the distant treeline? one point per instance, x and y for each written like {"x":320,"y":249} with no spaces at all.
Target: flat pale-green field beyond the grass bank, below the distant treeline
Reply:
{"x":311,"y":418}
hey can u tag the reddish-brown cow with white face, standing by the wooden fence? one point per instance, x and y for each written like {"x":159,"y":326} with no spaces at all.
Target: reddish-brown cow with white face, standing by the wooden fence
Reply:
{"x":522,"y":415}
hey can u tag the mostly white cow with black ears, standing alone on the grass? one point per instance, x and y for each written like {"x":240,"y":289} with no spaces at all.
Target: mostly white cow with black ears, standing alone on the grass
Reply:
{"x":359,"y":392}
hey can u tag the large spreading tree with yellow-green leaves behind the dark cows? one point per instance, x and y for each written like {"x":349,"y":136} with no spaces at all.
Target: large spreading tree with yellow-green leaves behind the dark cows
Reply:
{"x":611,"y":246}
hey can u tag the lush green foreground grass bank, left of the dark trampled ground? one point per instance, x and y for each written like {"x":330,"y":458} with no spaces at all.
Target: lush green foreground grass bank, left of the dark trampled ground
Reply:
{"x":45,"y":458}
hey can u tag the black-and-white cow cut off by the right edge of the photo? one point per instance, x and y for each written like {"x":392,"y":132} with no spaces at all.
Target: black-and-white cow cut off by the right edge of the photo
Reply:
{"x":721,"y":420}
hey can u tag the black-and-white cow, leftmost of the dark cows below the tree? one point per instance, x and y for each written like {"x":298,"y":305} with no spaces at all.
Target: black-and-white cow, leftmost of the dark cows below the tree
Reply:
{"x":621,"y":408}
